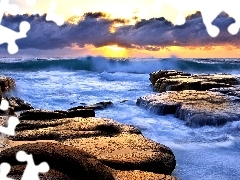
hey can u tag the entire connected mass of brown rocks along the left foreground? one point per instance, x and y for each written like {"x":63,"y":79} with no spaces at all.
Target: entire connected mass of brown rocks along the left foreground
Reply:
{"x":91,"y":147}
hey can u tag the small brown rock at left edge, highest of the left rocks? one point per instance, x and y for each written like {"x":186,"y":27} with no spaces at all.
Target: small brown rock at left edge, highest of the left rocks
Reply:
{"x":6,"y":84}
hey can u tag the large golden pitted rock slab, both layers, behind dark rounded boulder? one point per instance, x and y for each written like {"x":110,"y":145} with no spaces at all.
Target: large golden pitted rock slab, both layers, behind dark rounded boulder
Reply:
{"x":118,"y":146}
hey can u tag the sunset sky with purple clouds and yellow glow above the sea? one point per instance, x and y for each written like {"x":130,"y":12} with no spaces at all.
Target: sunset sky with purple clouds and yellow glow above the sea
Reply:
{"x":119,"y":28}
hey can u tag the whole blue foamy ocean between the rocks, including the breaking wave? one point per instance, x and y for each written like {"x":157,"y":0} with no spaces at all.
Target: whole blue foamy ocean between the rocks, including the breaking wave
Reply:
{"x":204,"y":153}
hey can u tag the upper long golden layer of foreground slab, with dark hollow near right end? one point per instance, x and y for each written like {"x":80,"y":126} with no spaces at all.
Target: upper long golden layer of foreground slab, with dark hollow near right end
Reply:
{"x":69,"y":128}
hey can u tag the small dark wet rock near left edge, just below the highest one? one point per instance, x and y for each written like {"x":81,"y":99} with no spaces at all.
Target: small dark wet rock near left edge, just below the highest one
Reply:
{"x":18,"y":104}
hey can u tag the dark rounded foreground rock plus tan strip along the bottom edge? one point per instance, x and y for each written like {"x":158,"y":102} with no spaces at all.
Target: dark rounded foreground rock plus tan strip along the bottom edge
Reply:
{"x":80,"y":164}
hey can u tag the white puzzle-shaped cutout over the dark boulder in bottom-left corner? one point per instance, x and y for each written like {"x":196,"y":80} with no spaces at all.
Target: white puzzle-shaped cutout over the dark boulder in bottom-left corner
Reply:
{"x":31,"y":171}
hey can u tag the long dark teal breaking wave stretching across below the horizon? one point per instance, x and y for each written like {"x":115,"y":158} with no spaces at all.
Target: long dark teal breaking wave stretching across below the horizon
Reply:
{"x":129,"y":65}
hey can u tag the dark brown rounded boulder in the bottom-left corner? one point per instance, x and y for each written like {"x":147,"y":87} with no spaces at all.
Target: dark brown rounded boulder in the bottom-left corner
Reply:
{"x":71,"y":162}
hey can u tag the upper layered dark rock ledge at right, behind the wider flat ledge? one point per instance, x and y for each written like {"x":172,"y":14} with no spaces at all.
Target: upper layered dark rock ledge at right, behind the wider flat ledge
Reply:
{"x":177,"y":81}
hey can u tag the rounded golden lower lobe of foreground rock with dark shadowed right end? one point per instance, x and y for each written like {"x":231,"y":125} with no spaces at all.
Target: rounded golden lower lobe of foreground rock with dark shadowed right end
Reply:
{"x":128,"y":152}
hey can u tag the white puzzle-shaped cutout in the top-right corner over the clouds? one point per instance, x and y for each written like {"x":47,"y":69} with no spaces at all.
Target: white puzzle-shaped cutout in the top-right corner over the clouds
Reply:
{"x":210,"y":9}
